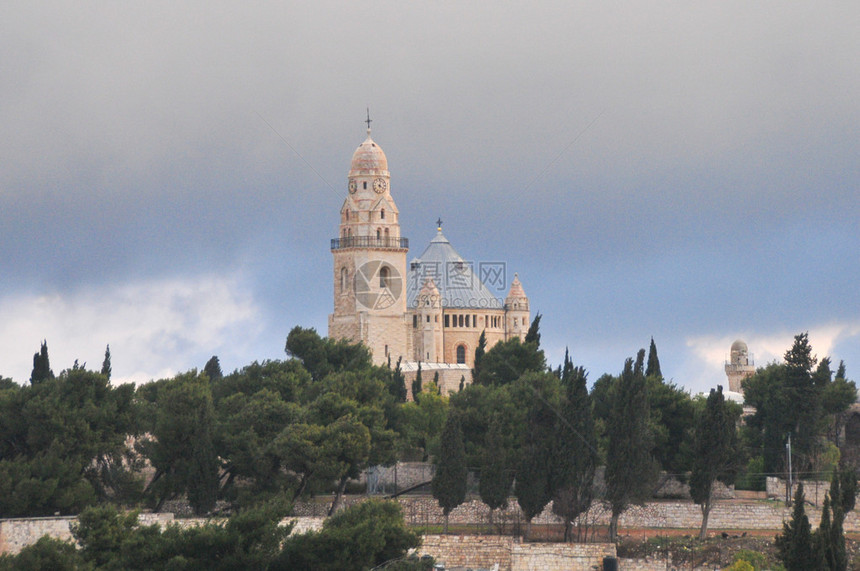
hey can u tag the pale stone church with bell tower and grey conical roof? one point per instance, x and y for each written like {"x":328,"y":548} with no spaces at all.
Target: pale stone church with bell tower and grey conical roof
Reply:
{"x":432,"y":311}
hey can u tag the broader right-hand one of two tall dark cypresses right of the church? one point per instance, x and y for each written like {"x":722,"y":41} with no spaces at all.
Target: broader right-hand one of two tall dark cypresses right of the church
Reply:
{"x":630,"y":467}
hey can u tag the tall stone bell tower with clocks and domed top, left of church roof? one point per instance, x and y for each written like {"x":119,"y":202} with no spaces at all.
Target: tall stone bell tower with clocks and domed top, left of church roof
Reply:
{"x":370,"y":260}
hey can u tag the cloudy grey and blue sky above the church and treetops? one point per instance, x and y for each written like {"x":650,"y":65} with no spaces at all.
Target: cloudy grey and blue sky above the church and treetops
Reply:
{"x":171,"y":173}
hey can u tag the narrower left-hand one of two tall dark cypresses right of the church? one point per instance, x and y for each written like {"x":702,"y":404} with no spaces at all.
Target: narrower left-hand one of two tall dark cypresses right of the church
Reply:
{"x":574,"y":456}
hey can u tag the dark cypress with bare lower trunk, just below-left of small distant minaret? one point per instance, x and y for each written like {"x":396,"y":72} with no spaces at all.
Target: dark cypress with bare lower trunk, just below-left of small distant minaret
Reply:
{"x":715,"y":453}
